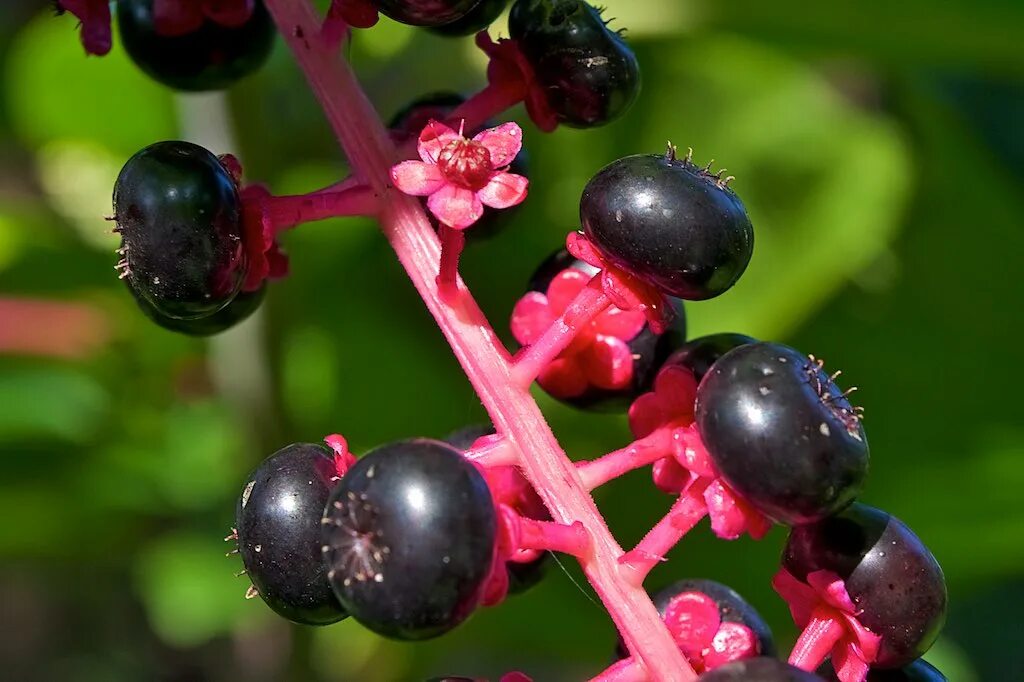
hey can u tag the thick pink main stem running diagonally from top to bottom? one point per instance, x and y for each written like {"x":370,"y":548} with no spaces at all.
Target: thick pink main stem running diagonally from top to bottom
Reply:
{"x":478,"y":349}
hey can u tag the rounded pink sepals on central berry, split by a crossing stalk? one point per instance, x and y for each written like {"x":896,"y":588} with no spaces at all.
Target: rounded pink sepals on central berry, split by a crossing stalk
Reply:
{"x":600,"y":356}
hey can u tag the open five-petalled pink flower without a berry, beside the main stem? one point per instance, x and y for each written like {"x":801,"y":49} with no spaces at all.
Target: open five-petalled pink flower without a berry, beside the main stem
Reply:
{"x":460,"y":176}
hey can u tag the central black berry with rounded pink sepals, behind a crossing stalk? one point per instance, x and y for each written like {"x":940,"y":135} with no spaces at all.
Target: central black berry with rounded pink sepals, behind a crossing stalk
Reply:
{"x":614,"y":360}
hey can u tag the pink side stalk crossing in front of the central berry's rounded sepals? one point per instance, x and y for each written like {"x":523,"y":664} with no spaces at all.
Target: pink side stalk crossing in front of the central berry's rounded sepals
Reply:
{"x":532,"y":360}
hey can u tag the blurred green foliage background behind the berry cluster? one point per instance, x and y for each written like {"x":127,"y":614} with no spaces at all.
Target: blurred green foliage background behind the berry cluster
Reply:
{"x":878,"y":146}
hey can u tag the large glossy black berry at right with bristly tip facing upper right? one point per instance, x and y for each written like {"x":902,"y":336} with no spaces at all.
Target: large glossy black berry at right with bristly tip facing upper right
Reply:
{"x":782,"y":434}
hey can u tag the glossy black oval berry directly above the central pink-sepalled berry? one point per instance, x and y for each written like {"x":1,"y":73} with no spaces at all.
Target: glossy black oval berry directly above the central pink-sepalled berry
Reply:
{"x":670,"y":224}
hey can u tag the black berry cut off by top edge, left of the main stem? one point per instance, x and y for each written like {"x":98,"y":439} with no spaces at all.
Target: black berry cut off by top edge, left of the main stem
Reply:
{"x":210,"y":58}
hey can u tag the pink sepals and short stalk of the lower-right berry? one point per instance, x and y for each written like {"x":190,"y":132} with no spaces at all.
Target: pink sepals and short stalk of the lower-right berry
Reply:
{"x":829,"y":618}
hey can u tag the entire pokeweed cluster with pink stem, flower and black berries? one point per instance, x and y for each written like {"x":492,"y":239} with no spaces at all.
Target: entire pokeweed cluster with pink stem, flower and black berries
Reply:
{"x":413,"y":537}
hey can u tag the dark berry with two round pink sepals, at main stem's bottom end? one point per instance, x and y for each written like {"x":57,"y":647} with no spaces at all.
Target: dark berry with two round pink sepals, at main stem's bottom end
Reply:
{"x":711,"y":637}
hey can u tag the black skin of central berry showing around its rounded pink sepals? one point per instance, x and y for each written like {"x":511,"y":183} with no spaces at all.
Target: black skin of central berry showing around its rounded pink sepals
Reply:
{"x":648,"y":350}
